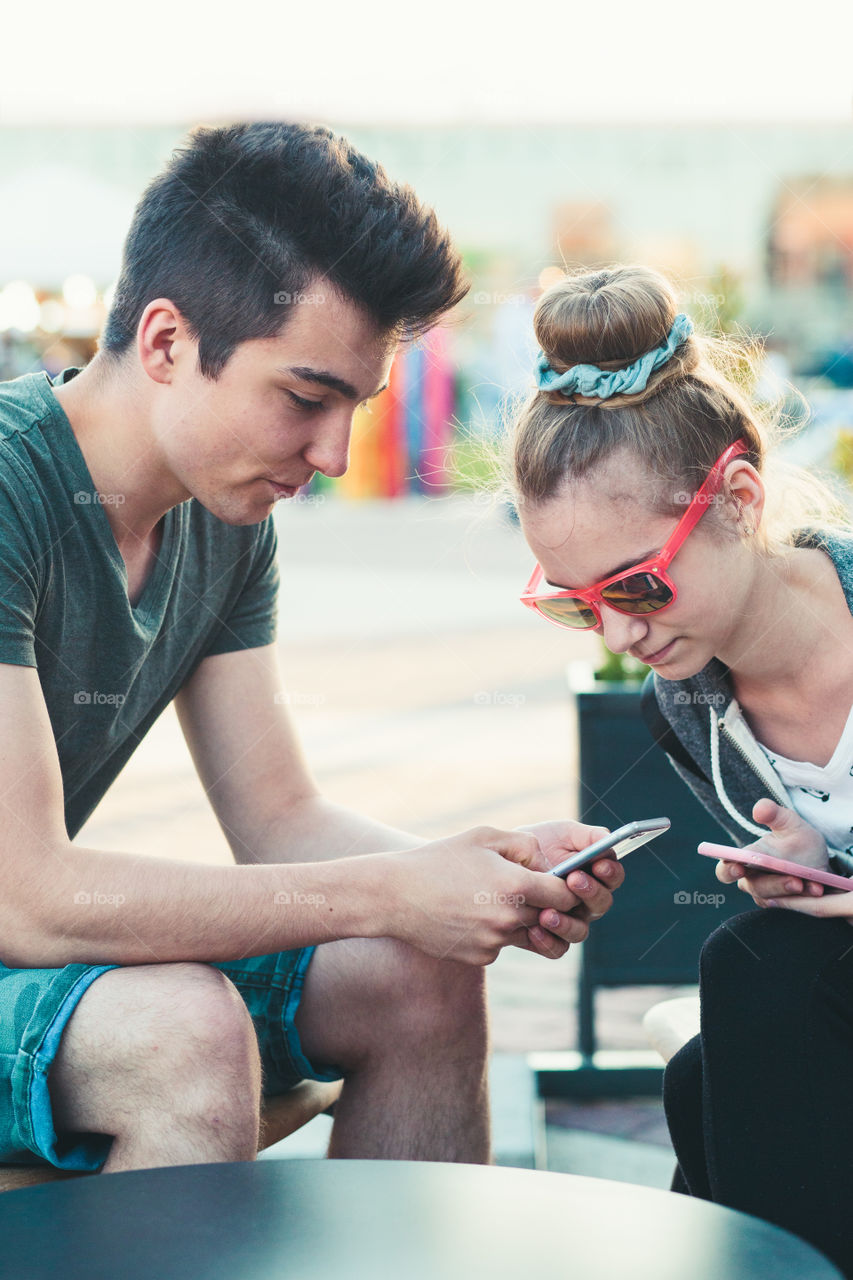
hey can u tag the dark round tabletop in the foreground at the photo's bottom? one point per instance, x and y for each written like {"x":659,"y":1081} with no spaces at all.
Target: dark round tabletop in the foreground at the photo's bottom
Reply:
{"x":381,"y":1219}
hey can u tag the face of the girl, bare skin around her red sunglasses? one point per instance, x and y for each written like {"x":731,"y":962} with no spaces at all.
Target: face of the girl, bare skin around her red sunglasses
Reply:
{"x":605,"y":524}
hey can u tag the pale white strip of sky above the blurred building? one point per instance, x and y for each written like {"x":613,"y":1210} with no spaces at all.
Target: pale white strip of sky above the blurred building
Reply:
{"x":434,"y":62}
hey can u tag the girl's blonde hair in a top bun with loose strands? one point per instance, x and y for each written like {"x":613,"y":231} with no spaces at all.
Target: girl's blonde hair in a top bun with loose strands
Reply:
{"x":692,"y":408}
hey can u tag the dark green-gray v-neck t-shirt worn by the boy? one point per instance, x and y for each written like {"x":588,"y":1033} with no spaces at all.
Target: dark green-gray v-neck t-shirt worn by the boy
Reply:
{"x":107,"y":669}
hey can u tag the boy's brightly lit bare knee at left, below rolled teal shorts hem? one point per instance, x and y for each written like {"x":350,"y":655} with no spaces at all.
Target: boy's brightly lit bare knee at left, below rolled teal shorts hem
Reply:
{"x":163,"y":1058}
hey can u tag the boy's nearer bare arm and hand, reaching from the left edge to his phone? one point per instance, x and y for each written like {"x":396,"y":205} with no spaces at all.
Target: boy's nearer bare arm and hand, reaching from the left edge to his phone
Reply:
{"x":62,"y":904}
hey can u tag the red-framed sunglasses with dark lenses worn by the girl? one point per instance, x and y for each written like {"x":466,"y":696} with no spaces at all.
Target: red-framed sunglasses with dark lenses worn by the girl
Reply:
{"x":645,"y":588}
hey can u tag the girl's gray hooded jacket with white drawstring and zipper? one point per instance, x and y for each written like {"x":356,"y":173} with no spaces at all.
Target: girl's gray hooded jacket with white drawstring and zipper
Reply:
{"x":709,"y":724}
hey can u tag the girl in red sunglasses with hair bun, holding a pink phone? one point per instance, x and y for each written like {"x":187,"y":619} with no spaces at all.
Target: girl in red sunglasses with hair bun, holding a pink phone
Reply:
{"x":660,"y":516}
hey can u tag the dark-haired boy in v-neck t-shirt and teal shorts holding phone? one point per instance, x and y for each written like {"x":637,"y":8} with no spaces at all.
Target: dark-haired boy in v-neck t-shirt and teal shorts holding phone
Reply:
{"x":270,"y":275}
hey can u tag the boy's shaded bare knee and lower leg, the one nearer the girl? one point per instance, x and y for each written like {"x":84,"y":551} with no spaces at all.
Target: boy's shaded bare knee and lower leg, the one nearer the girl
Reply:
{"x":410,"y":1035}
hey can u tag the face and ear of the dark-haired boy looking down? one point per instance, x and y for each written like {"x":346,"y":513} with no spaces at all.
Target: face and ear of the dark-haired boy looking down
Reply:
{"x":268,"y":423}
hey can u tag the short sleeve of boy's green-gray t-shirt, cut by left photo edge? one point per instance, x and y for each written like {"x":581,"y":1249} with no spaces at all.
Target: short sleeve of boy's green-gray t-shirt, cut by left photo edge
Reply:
{"x":22,"y":566}
